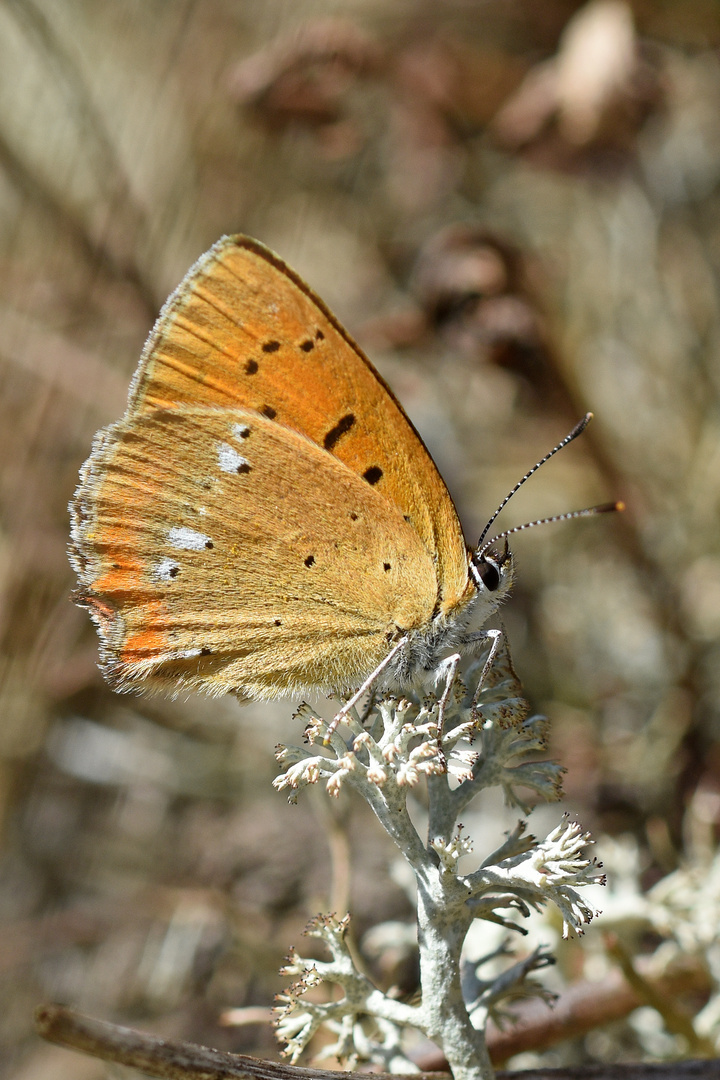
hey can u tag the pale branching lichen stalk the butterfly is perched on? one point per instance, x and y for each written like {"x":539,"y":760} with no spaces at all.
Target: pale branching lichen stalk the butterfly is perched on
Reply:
{"x":485,"y":739}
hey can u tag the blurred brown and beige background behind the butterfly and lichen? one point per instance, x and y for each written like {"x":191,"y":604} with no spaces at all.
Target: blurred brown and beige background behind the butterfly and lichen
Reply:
{"x":515,"y":208}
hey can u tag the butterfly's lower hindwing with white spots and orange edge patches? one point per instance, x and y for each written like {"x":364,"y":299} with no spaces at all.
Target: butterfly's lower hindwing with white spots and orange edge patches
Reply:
{"x":220,"y":550}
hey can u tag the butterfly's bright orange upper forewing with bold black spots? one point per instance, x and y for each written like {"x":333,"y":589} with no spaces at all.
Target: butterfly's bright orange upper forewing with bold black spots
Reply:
{"x":243,"y":330}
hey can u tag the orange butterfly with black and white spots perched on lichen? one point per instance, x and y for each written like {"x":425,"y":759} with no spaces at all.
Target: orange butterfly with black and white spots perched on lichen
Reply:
{"x":265,"y":520}
